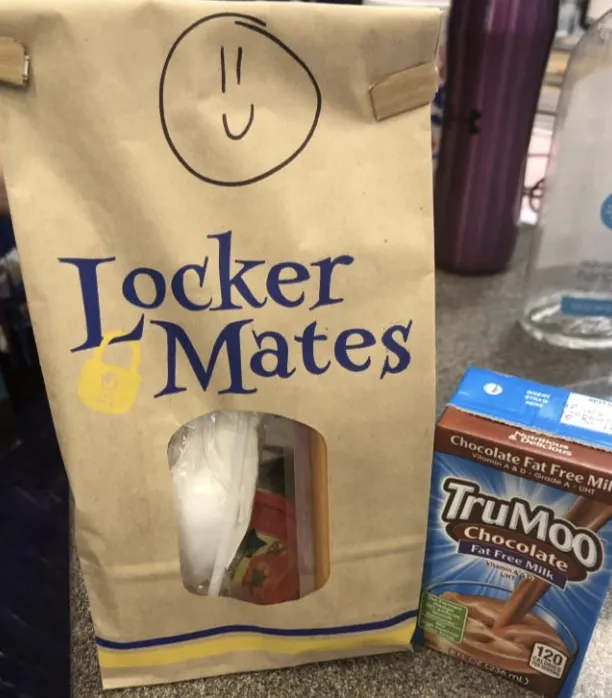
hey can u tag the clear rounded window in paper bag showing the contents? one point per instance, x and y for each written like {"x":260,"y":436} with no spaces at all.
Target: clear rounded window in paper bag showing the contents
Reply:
{"x":251,"y":501}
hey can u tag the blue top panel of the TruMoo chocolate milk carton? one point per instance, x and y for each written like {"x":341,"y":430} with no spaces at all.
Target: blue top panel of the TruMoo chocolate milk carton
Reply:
{"x":540,"y":408}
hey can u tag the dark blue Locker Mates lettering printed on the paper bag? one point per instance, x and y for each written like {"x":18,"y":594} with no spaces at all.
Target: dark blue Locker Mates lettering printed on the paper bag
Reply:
{"x":268,"y":354}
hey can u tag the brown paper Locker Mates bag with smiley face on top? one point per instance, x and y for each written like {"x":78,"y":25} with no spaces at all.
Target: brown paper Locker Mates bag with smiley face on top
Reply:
{"x":227,"y":207}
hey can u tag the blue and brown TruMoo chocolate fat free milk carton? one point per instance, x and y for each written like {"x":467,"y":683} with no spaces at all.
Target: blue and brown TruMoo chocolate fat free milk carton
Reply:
{"x":519,"y":548}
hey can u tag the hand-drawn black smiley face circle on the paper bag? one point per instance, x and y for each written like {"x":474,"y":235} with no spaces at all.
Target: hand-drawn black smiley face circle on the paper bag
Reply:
{"x":236,"y":104}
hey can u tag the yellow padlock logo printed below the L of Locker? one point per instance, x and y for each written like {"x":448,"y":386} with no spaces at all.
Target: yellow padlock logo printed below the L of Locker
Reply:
{"x":107,"y":388}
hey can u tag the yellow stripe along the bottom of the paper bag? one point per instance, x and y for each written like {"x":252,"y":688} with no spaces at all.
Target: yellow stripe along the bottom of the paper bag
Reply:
{"x":212,"y":647}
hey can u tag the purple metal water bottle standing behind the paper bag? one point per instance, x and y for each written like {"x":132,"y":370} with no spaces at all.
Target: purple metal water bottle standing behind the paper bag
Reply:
{"x":497,"y":52}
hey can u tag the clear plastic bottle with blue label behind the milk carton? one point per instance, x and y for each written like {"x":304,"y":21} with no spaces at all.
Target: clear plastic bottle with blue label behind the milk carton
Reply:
{"x":569,"y":288}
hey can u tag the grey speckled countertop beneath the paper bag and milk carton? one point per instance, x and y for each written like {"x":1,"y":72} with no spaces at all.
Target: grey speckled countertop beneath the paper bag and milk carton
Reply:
{"x":476,"y":324}
